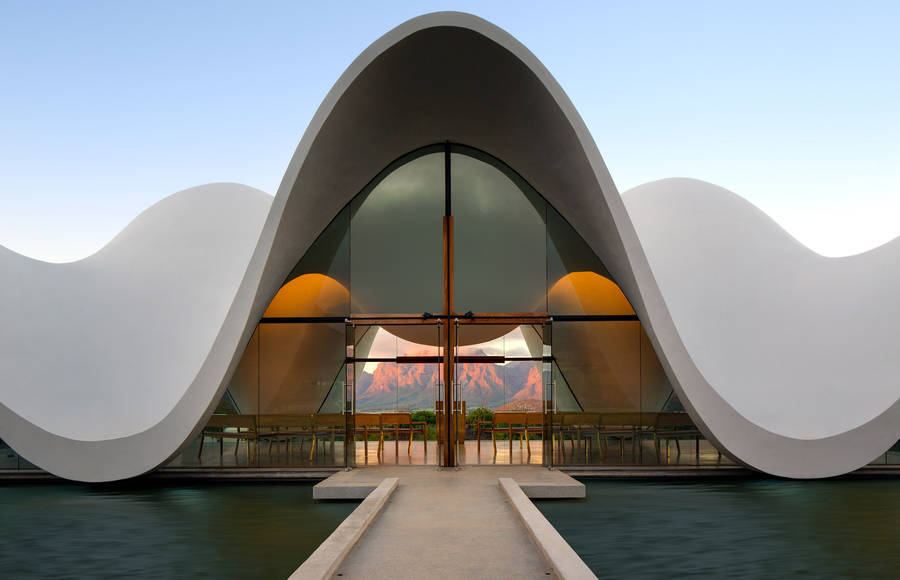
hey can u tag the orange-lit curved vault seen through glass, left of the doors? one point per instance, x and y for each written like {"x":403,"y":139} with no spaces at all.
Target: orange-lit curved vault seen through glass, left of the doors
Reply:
{"x":310,"y":295}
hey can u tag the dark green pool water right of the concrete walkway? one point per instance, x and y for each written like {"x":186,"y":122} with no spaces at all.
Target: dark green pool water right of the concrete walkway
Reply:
{"x":735,"y":529}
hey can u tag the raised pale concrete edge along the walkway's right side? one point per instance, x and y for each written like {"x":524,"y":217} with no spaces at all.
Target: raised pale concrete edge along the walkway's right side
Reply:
{"x":567,"y":564}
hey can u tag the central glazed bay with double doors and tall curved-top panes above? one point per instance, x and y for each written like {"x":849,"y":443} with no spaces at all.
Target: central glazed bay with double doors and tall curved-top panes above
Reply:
{"x":478,"y":379}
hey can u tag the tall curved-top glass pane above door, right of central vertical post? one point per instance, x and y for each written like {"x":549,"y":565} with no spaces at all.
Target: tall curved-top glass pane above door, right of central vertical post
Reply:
{"x":499,"y":238}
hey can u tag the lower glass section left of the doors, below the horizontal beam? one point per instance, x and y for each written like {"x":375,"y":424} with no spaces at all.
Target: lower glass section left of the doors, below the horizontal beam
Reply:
{"x":285,"y":404}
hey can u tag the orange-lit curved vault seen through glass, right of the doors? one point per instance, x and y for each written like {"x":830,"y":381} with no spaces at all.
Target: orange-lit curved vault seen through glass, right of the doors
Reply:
{"x":588,"y":293}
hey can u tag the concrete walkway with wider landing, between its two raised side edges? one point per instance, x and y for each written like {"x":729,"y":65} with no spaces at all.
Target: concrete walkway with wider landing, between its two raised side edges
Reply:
{"x":446,"y":524}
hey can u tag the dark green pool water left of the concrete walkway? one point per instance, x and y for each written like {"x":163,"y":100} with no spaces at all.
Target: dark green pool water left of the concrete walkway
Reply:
{"x":209,"y":531}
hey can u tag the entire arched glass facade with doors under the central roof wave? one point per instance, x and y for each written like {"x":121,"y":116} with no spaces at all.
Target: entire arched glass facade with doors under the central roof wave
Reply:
{"x":448,"y":266}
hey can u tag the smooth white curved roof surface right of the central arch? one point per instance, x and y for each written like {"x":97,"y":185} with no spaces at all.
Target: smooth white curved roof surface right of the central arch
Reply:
{"x":802,"y":345}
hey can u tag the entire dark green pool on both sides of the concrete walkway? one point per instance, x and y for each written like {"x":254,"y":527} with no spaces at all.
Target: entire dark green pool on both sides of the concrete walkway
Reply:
{"x":625,"y":529}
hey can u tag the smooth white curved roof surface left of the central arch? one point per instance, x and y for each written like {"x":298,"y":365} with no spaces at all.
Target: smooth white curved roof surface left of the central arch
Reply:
{"x":103,"y":347}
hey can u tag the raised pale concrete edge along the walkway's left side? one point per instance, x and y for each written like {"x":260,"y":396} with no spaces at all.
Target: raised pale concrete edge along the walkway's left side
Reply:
{"x":324,"y":562}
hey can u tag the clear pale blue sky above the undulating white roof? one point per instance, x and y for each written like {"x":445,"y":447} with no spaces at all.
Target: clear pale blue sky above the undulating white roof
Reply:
{"x":106,"y":107}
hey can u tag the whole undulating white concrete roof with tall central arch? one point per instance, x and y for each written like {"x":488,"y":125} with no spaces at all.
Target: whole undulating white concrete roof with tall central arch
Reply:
{"x":786,"y":359}
